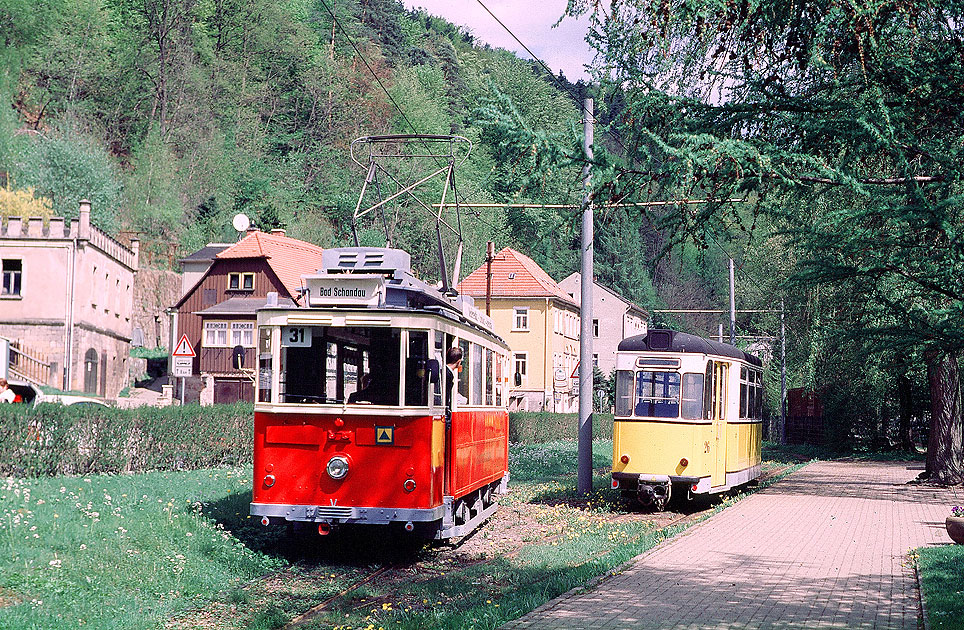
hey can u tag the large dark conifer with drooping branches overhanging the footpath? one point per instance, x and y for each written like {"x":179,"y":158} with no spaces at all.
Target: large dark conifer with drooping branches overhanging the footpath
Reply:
{"x":852,"y":112}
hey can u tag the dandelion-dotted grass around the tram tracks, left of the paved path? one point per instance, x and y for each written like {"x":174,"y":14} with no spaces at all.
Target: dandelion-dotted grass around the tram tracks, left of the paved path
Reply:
{"x":177,"y":550}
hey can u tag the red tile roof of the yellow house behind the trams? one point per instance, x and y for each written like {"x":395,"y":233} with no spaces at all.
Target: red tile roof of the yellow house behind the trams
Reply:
{"x":529,"y":280}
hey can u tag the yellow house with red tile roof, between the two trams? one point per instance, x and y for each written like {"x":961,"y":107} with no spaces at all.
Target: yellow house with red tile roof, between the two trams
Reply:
{"x":539,"y":321}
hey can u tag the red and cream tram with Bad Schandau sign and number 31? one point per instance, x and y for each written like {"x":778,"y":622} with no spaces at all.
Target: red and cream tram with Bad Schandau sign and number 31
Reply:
{"x":353,"y":420}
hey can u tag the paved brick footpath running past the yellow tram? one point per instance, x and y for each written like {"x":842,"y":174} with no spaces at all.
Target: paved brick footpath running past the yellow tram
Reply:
{"x":826,"y":547}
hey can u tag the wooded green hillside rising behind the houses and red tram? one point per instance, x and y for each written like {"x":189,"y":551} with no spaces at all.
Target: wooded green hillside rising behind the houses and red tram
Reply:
{"x":173,"y":115}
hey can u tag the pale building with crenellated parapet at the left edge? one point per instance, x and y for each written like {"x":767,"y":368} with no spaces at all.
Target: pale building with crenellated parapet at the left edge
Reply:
{"x":67,"y":296}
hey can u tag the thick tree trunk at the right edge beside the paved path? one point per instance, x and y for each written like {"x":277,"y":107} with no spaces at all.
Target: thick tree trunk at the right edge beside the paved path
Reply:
{"x":945,"y":447}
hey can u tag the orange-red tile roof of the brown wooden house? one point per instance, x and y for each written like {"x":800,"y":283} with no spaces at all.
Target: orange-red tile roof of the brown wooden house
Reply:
{"x":288,"y":257}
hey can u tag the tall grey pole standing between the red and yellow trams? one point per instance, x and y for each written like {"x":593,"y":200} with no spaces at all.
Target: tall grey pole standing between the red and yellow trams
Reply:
{"x":584,"y":468}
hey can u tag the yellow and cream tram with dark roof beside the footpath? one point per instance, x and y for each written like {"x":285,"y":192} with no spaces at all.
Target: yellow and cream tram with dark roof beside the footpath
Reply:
{"x":688,"y":416}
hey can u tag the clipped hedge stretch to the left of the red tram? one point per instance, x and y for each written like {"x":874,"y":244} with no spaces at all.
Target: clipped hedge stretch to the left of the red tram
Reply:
{"x":56,"y":440}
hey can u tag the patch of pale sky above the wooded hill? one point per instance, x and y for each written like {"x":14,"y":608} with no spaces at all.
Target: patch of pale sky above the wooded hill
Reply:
{"x":561,"y":48}
